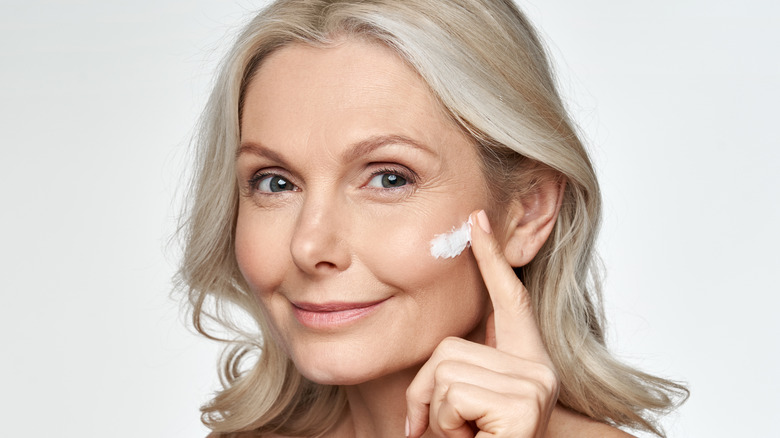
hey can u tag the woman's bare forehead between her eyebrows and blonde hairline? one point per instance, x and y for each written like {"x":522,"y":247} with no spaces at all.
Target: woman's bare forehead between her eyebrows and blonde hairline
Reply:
{"x":341,"y":93}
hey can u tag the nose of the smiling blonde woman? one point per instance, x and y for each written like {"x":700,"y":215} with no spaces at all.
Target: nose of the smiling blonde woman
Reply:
{"x":319,"y":243}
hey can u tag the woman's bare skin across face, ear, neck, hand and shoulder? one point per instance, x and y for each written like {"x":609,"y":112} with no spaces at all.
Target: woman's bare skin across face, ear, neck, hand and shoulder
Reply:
{"x":324,"y":218}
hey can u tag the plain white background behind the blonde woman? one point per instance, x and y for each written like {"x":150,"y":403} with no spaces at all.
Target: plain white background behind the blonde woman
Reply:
{"x":677,"y":99}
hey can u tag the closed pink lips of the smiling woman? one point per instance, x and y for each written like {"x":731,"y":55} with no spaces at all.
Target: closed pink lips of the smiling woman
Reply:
{"x":332,"y":314}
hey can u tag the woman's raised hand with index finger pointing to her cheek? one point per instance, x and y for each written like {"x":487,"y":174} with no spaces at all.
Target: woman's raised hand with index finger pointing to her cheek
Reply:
{"x":505,"y":388}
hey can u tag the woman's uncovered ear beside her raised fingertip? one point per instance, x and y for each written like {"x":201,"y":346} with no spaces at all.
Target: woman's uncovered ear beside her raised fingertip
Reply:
{"x":531,"y":219}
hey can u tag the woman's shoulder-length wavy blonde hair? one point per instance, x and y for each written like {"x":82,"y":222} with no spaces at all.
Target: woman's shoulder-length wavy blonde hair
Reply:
{"x":485,"y":64}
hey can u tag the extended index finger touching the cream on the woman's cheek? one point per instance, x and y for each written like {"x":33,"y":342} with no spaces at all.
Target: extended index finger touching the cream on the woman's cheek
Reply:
{"x":515,"y":327}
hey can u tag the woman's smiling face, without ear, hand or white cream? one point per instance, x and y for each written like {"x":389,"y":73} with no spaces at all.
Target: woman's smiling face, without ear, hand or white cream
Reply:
{"x":348,"y":168}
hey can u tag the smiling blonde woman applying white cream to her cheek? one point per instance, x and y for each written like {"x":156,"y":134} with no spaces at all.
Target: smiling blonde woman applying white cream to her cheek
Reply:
{"x":340,"y":139}
